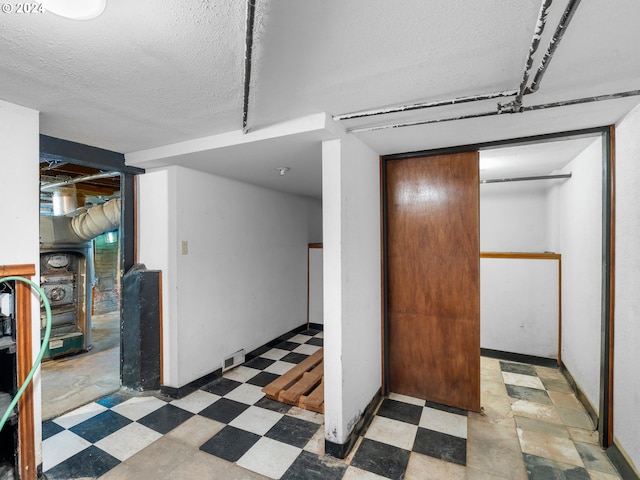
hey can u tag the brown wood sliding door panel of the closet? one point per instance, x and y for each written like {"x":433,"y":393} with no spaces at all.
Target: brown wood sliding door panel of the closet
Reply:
{"x":433,"y":294}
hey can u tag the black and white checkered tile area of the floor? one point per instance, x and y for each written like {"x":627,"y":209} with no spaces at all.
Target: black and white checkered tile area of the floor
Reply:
{"x":258,"y":434}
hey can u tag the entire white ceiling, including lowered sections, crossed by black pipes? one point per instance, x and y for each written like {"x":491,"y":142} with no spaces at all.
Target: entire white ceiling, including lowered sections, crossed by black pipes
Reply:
{"x":152,"y":73}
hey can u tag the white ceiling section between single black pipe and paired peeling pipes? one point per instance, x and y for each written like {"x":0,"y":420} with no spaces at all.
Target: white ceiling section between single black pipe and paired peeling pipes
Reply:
{"x":339,"y":56}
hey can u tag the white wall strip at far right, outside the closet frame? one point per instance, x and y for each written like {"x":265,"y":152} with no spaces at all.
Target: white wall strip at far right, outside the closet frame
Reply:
{"x":626,"y":396}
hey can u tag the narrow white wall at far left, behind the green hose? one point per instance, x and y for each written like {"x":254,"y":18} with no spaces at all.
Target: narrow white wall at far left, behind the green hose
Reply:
{"x":20,"y":221}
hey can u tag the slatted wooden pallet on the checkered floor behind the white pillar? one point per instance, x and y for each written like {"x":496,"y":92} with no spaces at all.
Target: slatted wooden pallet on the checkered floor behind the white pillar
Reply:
{"x":302,"y":386}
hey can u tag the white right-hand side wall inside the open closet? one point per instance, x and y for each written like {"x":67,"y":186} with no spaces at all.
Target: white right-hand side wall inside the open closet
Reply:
{"x":575,"y":208}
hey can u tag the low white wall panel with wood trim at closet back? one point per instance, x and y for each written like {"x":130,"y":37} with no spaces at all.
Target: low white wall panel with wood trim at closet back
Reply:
{"x":519,"y":306}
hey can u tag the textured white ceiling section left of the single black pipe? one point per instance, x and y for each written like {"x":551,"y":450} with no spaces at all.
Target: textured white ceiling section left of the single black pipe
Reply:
{"x":143,"y":74}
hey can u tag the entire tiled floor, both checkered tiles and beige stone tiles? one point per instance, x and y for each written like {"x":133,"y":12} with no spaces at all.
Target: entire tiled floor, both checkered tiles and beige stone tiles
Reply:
{"x":532,"y":427}
